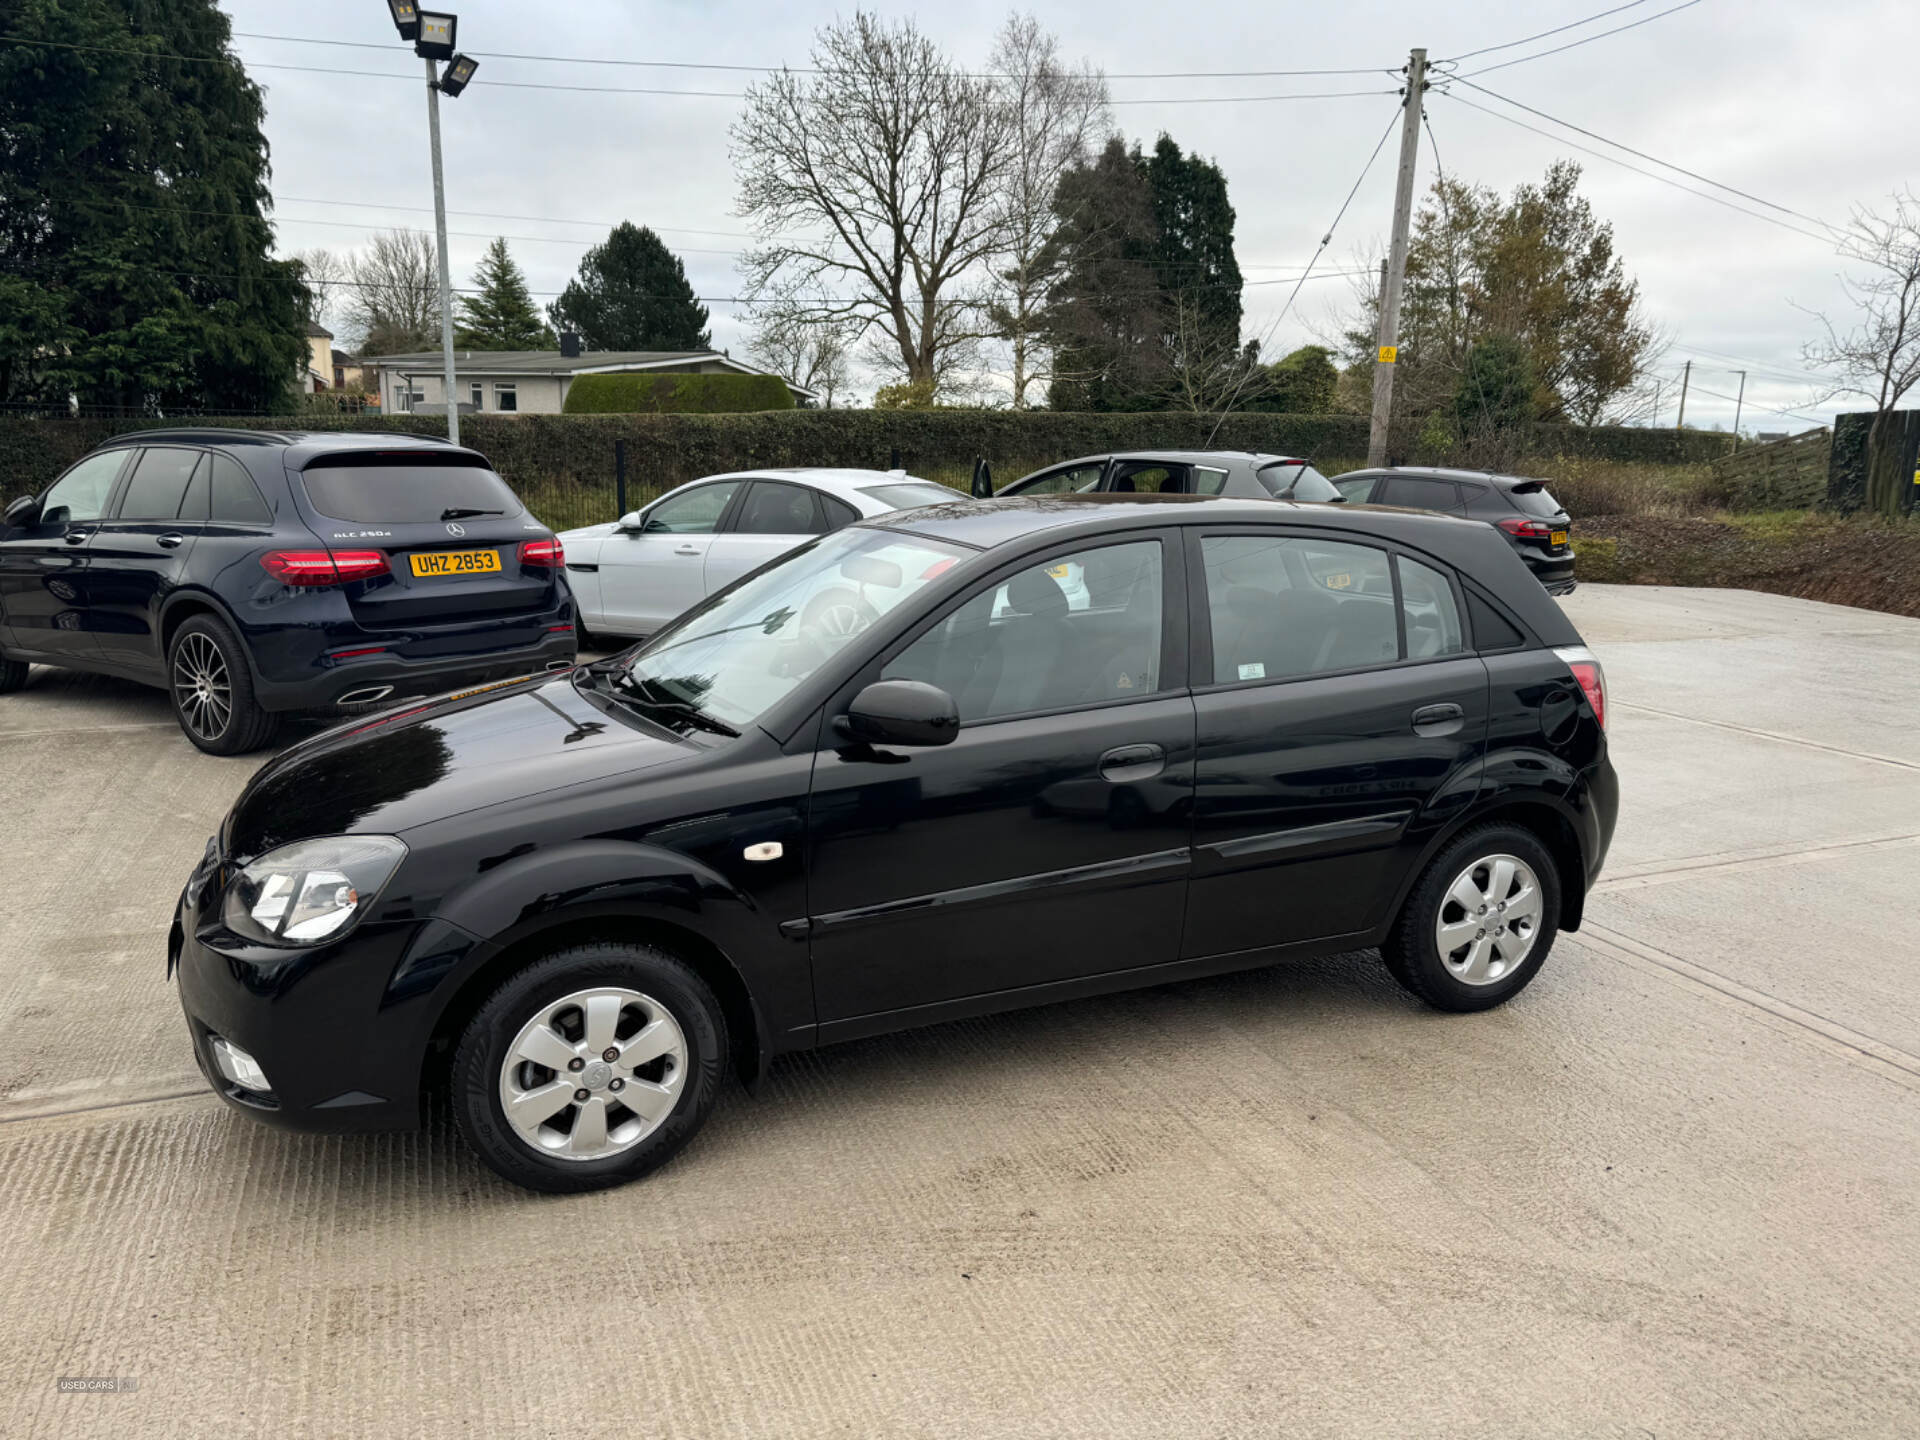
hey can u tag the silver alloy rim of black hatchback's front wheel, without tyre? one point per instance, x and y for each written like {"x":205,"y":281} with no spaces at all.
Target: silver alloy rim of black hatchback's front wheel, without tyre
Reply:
{"x":594,"y":1074}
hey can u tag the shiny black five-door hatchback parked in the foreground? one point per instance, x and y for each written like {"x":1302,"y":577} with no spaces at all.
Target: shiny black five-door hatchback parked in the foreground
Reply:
{"x":936,"y":765}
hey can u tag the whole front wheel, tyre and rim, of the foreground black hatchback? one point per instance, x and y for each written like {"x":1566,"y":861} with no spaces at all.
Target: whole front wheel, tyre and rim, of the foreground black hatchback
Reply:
{"x":594,"y":999}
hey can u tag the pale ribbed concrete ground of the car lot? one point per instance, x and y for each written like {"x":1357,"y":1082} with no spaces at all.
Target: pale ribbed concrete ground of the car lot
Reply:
{"x":1669,"y":1191}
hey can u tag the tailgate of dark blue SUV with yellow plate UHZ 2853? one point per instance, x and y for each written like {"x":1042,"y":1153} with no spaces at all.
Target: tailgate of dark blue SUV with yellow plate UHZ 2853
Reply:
{"x":450,"y":531}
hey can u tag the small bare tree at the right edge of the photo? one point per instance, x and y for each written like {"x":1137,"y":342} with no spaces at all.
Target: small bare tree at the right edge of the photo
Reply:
{"x":1881,"y":356}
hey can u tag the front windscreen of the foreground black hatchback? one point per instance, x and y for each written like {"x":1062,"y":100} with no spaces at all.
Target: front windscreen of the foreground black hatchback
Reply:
{"x":740,"y":654}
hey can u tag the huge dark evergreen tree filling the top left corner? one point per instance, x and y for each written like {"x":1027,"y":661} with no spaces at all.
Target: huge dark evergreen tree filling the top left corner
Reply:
{"x":135,"y":254}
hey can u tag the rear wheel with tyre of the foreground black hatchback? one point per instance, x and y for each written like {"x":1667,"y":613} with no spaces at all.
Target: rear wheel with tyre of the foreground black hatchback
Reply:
{"x":1479,"y":923}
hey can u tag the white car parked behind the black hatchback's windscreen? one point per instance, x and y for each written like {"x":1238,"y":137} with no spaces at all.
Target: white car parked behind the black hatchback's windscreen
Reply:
{"x":638,"y":573}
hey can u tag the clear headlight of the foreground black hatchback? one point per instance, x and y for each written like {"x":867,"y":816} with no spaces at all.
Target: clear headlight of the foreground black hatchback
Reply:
{"x":310,"y":892}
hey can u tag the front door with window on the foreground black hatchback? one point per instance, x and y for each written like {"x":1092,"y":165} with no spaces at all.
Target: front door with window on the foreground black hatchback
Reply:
{"x":1051,"y":840}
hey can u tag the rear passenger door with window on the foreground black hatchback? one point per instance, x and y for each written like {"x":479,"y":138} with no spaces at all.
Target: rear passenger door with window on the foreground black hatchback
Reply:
{"x":1341,"y":723}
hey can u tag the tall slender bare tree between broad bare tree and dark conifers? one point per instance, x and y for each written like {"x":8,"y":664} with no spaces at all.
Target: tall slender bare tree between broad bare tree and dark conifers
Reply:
{"x":1057,"y":116}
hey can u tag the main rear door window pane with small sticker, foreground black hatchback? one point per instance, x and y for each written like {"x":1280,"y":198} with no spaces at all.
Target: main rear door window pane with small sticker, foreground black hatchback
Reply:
{"x":1285,"y":608}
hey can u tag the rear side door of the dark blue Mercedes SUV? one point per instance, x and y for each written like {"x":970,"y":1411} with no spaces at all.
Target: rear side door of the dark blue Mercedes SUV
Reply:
{"x":141,"y":554}
